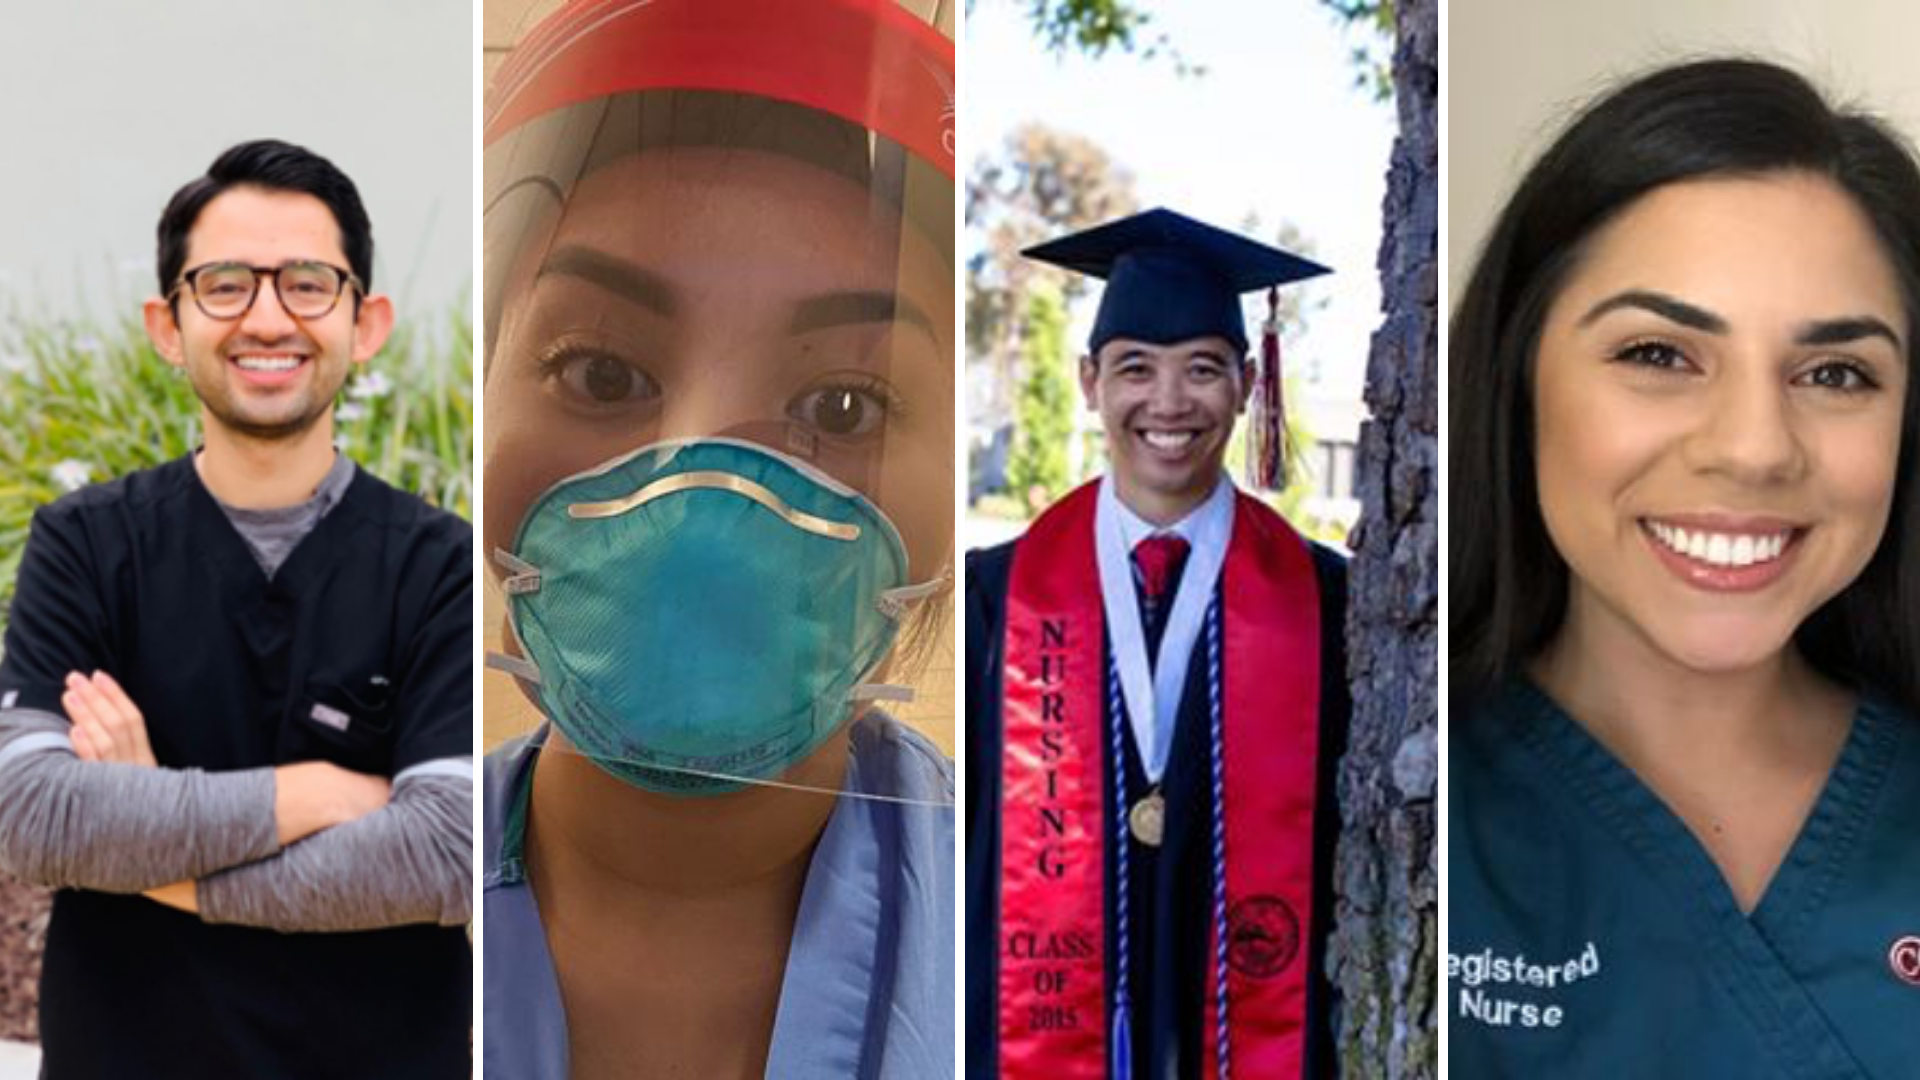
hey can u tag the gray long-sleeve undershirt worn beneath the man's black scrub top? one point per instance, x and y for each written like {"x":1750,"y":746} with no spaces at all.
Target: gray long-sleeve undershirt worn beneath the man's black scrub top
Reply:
{"x":112,"y":827}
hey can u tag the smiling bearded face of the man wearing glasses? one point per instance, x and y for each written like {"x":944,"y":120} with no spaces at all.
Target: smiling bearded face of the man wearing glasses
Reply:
{"x":268,"y":376}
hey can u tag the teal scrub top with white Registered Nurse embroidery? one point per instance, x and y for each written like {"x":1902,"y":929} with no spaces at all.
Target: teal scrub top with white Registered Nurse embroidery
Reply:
{"x":1591,"y":935}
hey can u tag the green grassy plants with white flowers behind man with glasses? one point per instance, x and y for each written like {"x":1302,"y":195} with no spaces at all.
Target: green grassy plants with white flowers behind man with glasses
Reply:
{"x":85,"y":403}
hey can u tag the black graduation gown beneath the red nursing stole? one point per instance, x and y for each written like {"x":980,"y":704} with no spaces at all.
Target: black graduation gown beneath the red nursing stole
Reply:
{"x":1170,"y":887}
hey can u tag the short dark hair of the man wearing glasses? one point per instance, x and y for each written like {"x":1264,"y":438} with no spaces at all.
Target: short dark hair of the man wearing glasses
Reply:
{"x":272,"y":166}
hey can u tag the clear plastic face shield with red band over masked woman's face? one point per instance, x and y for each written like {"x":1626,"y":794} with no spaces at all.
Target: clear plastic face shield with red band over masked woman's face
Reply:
{"x":719,"y":391}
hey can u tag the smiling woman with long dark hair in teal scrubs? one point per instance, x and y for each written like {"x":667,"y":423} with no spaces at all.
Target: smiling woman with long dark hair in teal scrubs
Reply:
{"x":1685,"y":595}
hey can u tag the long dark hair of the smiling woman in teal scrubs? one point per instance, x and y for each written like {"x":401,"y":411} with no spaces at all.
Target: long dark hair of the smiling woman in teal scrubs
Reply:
{"x":1712,"y":118}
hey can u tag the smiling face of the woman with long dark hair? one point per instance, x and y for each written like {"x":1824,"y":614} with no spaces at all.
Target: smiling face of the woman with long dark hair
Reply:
{"x":1719,"y":395}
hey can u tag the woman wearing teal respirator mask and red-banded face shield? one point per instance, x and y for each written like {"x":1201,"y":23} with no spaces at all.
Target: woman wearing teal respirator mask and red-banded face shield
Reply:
{"x":719,"y":499}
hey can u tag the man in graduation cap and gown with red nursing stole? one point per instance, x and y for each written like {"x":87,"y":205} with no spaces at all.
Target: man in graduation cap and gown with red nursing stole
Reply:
{"x":1157,"y":704}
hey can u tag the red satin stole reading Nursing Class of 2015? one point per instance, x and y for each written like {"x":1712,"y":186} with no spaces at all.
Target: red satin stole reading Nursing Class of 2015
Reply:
{"x":1057,"y":823}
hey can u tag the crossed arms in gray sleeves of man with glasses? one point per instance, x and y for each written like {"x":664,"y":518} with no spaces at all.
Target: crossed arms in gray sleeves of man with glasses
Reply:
{"x":304,"y":847}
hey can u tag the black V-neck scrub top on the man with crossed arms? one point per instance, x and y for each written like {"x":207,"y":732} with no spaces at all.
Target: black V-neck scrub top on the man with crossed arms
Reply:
{"x":358,"y":652}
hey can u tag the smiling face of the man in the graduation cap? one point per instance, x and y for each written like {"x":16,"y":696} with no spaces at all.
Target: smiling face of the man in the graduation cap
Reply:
{"x":1168,"y":414}
